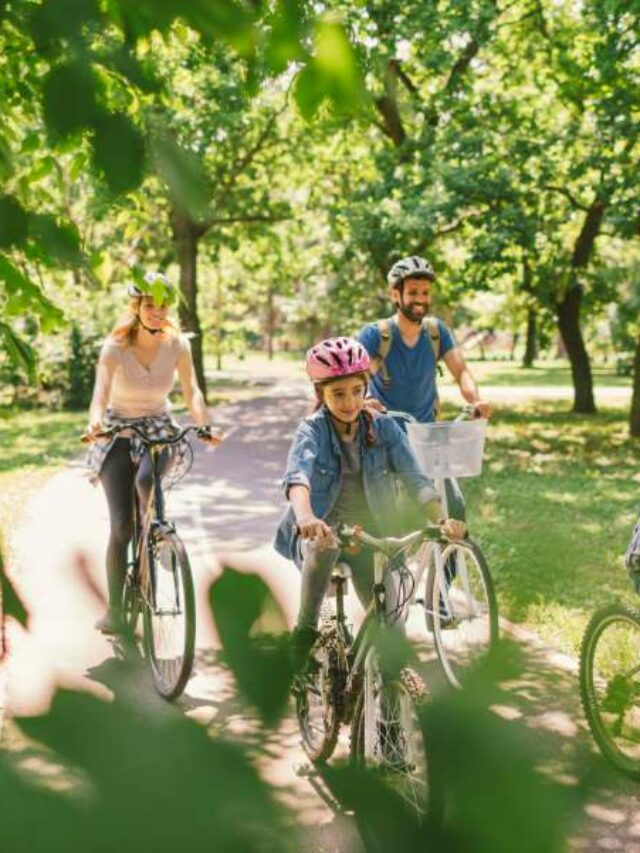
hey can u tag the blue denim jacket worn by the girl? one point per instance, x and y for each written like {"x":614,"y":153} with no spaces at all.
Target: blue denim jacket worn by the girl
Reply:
{"x":315,"y":462}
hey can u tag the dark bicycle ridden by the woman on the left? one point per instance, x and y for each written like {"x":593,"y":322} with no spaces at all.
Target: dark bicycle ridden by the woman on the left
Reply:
{"x":158,"y":582}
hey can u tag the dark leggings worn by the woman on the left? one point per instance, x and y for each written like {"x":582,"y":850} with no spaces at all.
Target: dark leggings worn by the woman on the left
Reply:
{"x":118,"y":476}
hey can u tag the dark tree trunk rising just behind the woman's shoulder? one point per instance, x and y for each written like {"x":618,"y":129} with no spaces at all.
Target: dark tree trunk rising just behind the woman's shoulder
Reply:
{"x":186,"y":235}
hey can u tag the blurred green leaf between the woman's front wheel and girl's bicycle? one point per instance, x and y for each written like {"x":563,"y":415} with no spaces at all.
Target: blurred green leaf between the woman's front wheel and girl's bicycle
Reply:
{"x":244,"y":611}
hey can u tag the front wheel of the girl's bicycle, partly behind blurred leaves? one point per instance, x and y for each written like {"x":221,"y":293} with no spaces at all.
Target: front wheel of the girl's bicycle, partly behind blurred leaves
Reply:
{"x":386,"y":733}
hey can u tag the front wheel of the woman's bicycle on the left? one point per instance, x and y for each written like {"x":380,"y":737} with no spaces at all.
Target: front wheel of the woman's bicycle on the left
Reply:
{"x":169,"y":615}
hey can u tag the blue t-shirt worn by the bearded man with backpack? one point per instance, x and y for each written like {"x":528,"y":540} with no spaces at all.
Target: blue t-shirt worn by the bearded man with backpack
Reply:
{"x":412,"y":370}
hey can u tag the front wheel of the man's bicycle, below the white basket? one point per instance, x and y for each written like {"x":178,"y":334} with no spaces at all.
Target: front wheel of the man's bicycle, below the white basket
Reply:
{"x":461,"y":609}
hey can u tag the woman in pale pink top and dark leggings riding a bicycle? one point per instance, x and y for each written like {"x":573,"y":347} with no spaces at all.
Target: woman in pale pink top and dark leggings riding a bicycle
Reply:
{"x":134,"y":376}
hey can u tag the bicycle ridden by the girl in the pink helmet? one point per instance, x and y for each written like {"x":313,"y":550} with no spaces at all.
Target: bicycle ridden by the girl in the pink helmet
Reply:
{"x":346,"y":682}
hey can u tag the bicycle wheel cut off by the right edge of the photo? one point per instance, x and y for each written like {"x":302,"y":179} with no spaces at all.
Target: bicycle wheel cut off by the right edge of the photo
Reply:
{"x":610,"y":684}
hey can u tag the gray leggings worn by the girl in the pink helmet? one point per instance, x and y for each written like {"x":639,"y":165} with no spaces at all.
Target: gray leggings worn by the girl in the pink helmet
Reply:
{"x":317,"y":565}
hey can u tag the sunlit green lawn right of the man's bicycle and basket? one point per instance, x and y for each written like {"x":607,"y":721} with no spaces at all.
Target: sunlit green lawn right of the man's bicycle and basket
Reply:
{"x":554,"y":510}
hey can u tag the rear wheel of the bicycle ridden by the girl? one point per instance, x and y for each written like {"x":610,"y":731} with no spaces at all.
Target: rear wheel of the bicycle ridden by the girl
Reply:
{"x":317,"y":699}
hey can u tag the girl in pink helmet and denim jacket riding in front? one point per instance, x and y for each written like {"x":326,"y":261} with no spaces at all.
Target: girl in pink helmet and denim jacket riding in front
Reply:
{"x":341,"y":469}
